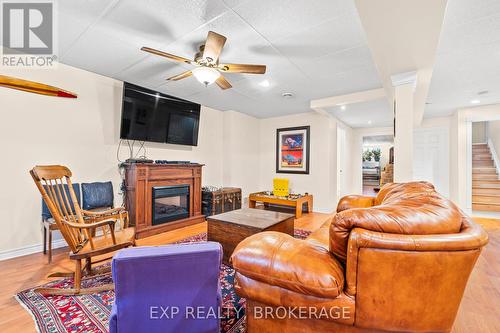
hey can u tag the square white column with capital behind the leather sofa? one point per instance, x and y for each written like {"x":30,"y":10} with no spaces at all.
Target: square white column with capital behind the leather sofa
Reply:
{"x":404,"y":88}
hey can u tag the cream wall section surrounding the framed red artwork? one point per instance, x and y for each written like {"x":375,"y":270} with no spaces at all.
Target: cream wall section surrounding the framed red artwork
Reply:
{"x":321,"y":180}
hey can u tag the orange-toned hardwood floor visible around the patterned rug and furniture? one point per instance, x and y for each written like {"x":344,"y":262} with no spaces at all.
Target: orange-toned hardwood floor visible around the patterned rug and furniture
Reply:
{"x":478,"y":311}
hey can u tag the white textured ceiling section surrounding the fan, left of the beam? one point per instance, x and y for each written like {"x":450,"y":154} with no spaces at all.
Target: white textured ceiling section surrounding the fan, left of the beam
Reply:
{"x":310,"y":50}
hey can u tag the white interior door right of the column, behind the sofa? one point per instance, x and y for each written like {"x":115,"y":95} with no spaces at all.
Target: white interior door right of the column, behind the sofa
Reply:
{"x":431,"y":157}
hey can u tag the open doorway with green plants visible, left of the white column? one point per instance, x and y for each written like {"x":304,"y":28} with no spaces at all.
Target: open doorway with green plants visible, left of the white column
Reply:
{"x":378,"y":162}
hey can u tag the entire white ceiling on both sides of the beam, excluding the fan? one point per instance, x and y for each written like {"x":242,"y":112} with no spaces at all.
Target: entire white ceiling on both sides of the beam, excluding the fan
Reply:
{"x":312,"y":49}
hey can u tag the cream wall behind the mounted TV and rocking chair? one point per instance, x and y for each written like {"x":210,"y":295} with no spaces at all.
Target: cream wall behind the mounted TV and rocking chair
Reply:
{"x":81,"y":133}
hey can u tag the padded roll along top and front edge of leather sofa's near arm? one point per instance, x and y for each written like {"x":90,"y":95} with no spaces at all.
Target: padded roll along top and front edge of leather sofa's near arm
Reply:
{"x":471,"y":237}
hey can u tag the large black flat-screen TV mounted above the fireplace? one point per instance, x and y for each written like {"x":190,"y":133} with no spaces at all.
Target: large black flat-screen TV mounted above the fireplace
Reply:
{"x":148,"y":115}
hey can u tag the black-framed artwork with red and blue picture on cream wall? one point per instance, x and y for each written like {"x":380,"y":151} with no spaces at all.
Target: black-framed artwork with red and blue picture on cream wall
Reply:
{"x":292,"y":150}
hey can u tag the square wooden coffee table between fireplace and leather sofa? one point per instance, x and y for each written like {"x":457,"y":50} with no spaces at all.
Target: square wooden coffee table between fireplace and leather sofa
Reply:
{"x":232,"y":227}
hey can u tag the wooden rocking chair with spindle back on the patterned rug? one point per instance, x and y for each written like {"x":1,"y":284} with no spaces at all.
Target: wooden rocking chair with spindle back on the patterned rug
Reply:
{"x":79,"y":227}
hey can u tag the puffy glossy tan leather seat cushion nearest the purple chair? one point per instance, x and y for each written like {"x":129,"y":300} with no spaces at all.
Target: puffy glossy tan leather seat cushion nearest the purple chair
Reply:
{"x":278,"y":259}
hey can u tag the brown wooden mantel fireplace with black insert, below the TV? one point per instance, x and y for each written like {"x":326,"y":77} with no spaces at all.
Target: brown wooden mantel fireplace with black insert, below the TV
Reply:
{"x":162,"y":197}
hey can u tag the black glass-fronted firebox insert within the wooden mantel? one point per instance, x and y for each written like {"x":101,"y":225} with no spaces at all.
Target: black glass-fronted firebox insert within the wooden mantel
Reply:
{"x":170,"y":203}
